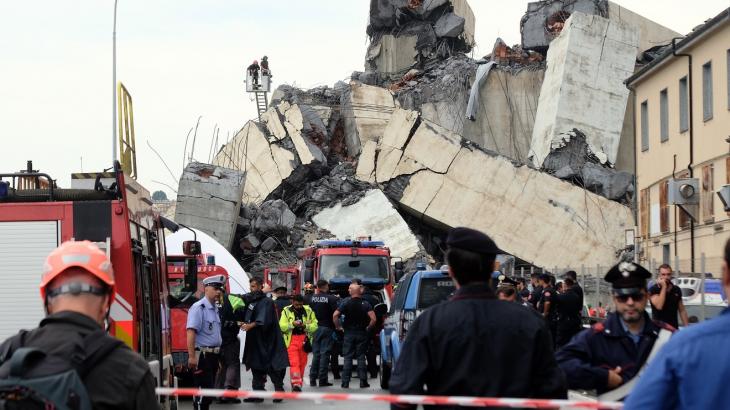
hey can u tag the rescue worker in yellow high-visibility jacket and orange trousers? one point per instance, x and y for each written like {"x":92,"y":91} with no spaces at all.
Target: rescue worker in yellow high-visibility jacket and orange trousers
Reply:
{"x":298,"y":324}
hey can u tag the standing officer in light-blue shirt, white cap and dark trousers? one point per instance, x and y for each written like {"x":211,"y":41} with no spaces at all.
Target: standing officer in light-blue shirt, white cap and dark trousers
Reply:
{"x":204,"y":338}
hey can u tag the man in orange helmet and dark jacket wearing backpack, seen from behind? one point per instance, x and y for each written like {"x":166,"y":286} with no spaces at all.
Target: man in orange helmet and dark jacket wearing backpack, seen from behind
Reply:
{"x":70,"y":358}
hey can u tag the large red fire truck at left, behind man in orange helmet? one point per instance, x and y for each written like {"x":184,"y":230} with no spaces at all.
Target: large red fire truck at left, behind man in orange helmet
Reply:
{"x":116,"y":214}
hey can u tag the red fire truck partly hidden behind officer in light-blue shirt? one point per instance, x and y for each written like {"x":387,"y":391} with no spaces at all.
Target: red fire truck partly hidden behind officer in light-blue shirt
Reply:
{"x":182,"y":300}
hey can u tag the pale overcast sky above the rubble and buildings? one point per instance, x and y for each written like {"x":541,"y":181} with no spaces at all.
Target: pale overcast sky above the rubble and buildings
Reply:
{"x":184,"y":59}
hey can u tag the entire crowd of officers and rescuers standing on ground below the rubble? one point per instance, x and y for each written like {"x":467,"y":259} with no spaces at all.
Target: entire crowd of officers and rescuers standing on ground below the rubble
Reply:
{"x":514,"y":342}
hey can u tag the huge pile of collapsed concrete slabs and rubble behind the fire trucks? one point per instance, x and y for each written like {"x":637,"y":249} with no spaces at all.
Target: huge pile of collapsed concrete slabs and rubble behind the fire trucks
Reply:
{"x":521,"y":144}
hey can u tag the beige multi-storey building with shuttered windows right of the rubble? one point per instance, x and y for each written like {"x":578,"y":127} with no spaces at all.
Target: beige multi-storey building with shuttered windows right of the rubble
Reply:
{"x":667,"y":135}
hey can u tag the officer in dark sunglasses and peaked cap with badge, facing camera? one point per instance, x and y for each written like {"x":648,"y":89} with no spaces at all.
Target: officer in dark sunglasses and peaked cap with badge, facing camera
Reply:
{"x":612,"y":352}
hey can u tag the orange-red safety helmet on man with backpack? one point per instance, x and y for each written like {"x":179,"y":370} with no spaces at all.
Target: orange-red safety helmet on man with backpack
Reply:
{"x":82,"y":254}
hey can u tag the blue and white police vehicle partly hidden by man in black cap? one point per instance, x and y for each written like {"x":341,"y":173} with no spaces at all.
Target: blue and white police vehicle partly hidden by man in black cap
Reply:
{"x":416,"y":292}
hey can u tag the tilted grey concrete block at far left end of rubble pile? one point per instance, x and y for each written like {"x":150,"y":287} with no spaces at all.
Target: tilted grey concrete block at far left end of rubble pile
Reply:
{"x":209,"y":199}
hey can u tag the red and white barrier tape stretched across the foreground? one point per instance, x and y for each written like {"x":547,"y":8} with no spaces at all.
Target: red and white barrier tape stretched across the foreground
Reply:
{"x":389,"y":398}
